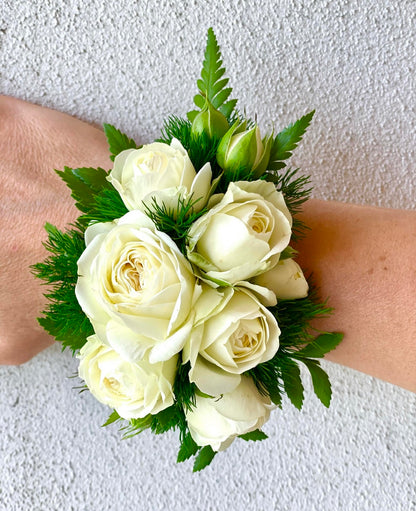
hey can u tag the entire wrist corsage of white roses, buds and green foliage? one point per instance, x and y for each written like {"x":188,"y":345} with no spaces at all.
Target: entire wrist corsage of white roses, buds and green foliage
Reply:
{"x":177,"y":287}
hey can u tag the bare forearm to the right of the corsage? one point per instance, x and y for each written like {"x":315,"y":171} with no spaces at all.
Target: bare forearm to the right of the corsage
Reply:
{"x":364,"y":259}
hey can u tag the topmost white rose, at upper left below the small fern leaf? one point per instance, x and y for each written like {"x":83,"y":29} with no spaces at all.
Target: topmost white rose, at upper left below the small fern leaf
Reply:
{"x":161,"y":172}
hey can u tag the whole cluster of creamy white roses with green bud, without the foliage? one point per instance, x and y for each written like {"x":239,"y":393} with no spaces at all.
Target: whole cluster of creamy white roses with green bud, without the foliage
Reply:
{"x":153,"y":306}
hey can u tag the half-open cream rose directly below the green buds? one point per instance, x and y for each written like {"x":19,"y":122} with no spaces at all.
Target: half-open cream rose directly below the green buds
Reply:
{"x":243,"y":235}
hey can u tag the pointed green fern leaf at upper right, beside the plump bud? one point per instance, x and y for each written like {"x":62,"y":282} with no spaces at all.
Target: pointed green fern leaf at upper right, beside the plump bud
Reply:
{"x":287,"y":140}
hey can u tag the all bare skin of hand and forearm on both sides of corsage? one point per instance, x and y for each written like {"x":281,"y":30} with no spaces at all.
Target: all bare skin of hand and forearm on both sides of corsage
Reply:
{"x":362,"y":258}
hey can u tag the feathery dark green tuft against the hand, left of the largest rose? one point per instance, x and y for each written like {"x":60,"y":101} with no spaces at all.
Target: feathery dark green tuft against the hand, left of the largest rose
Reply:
{"x":63,"y":317}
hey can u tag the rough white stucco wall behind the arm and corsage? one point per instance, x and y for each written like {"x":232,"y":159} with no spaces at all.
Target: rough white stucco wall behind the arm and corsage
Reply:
{"x":131,"y":63}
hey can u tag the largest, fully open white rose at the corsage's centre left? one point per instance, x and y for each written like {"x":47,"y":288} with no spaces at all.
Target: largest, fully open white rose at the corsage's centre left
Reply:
{"x":136,"y":288}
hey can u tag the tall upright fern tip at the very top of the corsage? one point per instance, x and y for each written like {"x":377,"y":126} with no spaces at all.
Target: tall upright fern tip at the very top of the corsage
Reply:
{"x":212,"y":85}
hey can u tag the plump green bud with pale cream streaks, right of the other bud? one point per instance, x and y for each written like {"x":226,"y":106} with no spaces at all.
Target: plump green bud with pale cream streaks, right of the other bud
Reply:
{"x":244,"y":148}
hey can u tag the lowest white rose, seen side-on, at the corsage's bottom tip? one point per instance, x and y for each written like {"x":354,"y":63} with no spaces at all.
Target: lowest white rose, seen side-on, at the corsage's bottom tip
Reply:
{"x":217,"y":421}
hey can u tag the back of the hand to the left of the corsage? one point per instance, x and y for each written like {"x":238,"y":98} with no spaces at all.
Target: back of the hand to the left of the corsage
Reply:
{"x":33,"y":142}
